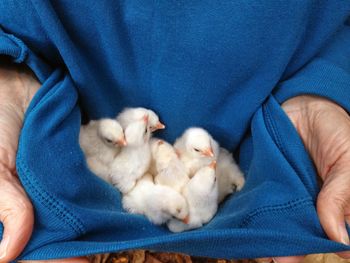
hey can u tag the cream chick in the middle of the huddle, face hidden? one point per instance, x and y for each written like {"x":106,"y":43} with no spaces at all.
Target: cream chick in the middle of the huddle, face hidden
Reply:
{"x":166,"y":166}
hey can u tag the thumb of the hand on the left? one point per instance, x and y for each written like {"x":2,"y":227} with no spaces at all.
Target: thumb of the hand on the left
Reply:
{"x":16,"y":215}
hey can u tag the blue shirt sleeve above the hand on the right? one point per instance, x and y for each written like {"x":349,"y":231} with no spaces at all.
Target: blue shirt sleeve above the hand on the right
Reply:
{"x":326,"y":75}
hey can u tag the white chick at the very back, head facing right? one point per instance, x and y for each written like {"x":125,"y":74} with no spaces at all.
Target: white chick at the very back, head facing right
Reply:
{"x":130,"y":115}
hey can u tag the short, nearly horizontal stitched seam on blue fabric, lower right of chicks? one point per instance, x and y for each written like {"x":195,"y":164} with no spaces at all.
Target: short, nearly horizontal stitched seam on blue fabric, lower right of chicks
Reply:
{"x":276,"y":208}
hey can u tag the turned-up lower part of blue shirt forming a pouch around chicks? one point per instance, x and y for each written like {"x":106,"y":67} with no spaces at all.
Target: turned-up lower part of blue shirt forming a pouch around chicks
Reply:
{"x":78,"y":214}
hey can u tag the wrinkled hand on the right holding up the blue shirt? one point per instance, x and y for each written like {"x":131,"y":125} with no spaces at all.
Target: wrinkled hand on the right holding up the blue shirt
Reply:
{"x":324,"y":128}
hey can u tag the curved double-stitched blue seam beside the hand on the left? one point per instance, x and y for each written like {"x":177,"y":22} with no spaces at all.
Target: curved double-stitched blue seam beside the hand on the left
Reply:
{"x":48,"y":200}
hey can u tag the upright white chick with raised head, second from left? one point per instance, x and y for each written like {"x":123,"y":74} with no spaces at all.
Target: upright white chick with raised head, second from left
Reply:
{"x":134,"y":159}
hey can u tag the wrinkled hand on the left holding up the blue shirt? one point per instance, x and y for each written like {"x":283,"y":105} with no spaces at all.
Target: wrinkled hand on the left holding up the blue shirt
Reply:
{"x":17,"y":87}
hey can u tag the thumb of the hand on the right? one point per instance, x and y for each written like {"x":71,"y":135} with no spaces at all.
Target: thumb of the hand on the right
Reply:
{"x":333,"y":204}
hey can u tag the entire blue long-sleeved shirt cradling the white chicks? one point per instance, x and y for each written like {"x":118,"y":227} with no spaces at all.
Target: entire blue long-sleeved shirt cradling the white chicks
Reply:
{"x":222,"y":65}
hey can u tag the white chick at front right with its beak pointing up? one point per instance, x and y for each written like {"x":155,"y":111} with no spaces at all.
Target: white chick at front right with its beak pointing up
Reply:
{"x":201,"y":194}
